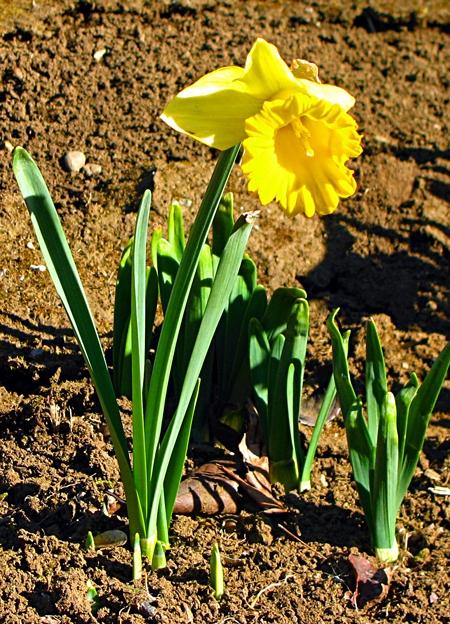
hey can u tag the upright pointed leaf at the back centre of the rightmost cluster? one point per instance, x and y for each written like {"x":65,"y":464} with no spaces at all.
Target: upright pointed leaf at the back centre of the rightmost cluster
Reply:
{"x":376,"y":386}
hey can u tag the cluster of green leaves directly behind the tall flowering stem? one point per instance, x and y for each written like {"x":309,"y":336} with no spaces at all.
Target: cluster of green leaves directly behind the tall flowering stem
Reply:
{"x":225,"y":373}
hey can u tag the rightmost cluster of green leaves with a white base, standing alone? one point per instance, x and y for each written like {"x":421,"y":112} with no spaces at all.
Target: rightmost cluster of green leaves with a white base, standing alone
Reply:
{"x":385,"y":446}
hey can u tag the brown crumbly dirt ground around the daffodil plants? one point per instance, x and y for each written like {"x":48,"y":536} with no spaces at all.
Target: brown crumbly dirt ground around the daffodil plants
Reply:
{"x":94,"y":76}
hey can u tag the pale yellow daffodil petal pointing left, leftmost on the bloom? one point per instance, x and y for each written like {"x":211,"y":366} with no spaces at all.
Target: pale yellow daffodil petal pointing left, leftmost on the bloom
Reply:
{"x":214,"y":109}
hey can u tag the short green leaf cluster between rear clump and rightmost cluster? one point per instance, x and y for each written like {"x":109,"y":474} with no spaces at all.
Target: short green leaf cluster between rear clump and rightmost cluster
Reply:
{"x":278,"y":343}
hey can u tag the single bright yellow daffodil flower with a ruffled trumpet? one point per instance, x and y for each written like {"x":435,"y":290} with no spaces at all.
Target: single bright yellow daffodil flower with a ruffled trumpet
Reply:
{"x":296,"y":132}
